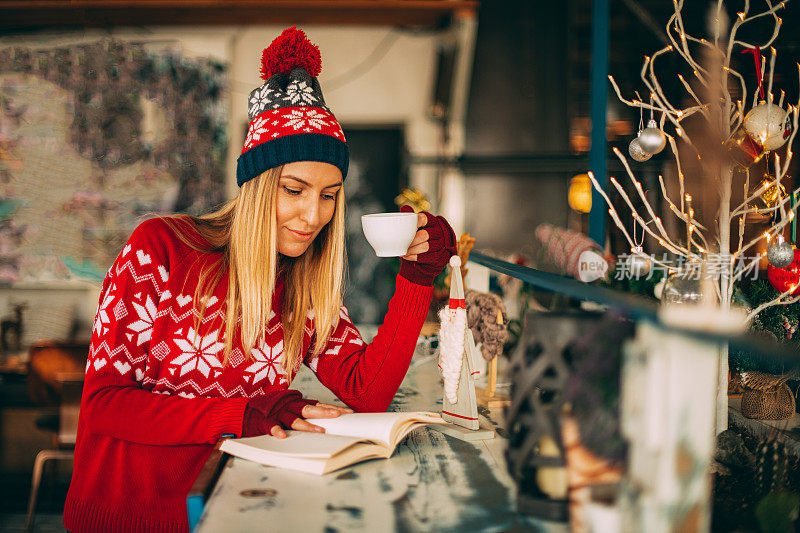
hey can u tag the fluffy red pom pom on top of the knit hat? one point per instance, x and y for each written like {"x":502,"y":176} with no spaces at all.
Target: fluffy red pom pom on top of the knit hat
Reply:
{"x":291,"y":49}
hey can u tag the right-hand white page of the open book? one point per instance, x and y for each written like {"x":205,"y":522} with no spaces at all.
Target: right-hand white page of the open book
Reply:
{"x":374,"y":426}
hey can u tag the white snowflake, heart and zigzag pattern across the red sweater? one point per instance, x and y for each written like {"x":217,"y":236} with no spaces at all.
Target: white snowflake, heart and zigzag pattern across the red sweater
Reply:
{"x":186,"y":359}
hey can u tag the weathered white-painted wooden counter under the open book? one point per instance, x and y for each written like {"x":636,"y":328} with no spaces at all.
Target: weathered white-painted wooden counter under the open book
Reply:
{"x":432,"y":482}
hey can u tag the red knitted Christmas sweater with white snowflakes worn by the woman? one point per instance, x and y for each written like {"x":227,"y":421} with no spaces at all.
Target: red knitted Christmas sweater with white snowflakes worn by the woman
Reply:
{"x":157,"y":397}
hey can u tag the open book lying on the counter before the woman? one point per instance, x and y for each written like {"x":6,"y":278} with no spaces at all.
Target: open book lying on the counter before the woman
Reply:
{"x":348,"y":439}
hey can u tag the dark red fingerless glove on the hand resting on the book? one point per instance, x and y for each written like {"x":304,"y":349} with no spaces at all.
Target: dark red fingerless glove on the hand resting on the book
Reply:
{"x":276,"y":408}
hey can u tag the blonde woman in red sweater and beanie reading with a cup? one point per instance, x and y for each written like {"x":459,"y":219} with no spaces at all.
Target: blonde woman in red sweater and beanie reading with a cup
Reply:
{"x":204,"y":321}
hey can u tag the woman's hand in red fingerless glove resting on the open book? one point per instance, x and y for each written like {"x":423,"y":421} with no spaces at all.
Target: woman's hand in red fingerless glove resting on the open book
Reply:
{"x":276,"y":411}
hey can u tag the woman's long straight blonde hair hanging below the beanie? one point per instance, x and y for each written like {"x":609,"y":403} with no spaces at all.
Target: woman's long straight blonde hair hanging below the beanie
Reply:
{"x":244,"y":232}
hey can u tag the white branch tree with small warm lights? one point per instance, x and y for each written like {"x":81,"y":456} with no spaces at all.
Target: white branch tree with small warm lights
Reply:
{"x":723,"y":114}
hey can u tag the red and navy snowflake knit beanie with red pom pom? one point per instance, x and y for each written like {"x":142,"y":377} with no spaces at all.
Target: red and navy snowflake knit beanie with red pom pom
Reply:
{"x":289,"y":120}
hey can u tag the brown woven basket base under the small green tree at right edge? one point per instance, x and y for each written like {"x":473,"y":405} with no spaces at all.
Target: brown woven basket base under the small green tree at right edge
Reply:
{"x":766,"y":397}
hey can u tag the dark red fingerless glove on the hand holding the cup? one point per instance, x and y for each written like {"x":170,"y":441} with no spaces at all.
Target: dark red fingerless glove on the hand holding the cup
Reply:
{"x":441,"y":247}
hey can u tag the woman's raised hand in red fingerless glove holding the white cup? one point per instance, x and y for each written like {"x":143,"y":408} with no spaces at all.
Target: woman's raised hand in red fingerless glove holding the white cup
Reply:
{"x":430,"y":251}
